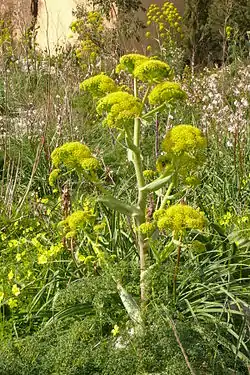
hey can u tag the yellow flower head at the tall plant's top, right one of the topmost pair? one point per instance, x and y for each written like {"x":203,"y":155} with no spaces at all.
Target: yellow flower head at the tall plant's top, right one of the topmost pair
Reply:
{"x":152,"y":71}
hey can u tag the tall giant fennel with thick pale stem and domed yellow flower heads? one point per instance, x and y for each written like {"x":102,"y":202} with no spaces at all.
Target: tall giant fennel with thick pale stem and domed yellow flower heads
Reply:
{"x":182,"y":150}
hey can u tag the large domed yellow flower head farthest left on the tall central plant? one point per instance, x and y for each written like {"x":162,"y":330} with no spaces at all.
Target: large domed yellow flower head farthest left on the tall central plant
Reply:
{"x":74,"y":155}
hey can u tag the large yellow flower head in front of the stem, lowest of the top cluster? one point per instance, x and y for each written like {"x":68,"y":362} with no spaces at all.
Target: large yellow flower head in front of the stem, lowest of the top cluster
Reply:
{"x":121,"y":108}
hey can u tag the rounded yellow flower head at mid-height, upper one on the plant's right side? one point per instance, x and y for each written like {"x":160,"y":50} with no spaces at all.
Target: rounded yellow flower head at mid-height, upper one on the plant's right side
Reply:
{"x":183,"y":138}
